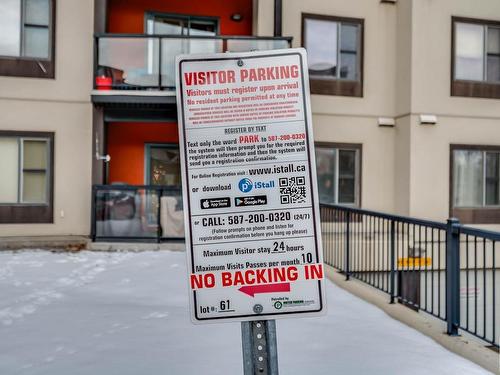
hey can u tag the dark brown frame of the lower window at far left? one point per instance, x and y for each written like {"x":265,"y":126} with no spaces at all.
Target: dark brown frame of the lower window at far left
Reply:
{"x":31,"y":213}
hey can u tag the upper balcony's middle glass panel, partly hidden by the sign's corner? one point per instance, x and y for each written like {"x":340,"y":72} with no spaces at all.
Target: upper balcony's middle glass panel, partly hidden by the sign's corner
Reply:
{"x":172,"y":47}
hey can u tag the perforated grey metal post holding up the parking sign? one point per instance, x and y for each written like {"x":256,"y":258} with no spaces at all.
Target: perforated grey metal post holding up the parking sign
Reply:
{"x":260,"y":349}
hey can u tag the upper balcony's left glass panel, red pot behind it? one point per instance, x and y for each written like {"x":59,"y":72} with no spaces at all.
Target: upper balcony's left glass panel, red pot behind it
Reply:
{"x":129,"y":62}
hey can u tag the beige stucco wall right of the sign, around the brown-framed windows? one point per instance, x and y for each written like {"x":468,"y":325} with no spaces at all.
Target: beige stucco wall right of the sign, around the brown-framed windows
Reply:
{"x":407,"y":59}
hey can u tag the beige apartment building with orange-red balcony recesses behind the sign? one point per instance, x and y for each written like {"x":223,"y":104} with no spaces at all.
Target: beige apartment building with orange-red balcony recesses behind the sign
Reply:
{"x":405,"y":97}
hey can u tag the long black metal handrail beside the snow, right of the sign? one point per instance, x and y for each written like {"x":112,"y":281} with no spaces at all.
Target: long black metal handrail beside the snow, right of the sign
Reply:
{"x":445,"y":269}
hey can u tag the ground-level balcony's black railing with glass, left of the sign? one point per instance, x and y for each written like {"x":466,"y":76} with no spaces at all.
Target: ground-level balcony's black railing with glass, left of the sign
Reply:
{"x":137,"y":213}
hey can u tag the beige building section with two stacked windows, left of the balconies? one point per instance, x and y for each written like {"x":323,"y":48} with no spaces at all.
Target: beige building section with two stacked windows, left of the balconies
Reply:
{"x":45,"y":117}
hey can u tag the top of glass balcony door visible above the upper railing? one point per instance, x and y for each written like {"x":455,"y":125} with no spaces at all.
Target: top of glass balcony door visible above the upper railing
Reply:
{"x":177,"y":24}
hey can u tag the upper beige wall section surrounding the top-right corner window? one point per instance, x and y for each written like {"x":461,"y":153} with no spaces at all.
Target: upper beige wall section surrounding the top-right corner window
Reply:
{"x":431,"y":23}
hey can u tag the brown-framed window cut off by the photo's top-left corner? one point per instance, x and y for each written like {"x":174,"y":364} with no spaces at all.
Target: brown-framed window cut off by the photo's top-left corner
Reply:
{"x":27,"y":38}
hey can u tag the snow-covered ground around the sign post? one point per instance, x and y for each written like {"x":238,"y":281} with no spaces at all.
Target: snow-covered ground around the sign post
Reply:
{"x":127,"y":313}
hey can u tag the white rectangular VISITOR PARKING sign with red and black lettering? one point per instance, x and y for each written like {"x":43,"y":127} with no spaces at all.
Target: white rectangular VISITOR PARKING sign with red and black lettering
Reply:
{"x":253,"y":235}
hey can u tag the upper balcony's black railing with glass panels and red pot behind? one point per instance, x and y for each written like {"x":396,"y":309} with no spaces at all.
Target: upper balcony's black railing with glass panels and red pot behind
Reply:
{"x":147,"y":62}
